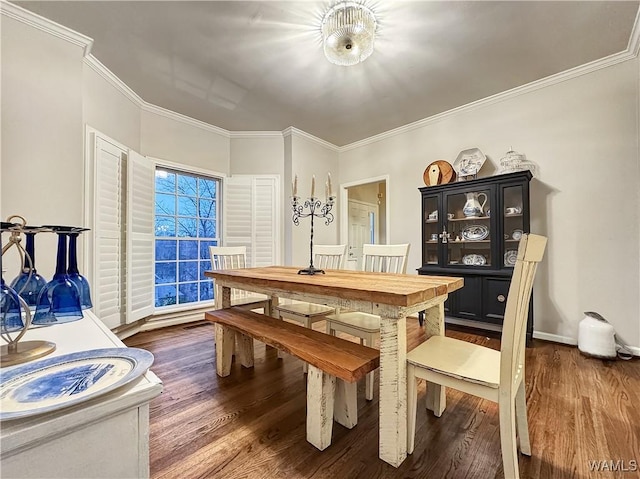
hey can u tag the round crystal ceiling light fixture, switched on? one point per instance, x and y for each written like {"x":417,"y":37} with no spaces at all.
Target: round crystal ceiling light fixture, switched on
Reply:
{"x":348,"y":31}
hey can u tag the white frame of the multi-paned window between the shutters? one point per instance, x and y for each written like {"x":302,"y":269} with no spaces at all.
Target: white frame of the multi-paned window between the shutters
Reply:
{"x":199,"y":172}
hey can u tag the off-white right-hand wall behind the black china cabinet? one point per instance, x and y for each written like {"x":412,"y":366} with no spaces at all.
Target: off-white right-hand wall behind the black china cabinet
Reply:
{"x":583,"y":133}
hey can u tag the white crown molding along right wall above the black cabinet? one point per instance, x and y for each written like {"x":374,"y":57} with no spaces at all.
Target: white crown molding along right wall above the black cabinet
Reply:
{"x":630,"y":53}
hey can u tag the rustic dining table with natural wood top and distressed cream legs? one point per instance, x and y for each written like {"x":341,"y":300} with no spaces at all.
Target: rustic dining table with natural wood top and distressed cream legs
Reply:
{"x":390,"y":296}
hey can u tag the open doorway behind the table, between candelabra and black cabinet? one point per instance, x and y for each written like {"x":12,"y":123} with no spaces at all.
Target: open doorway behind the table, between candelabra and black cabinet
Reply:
{"x":364,"y":217}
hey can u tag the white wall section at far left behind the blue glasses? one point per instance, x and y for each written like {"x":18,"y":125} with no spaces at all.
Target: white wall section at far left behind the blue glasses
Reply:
{"x":42,"y":134}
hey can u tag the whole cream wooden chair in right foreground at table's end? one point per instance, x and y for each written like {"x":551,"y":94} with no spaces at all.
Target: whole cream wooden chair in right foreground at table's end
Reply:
{"x":494,"y":375}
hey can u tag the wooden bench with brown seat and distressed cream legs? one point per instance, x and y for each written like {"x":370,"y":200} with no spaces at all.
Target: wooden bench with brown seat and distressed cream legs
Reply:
{"x":335,"y":364}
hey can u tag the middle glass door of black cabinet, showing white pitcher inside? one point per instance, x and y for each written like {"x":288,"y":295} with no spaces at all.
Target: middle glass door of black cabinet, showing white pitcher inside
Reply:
{"x":468,"y":228}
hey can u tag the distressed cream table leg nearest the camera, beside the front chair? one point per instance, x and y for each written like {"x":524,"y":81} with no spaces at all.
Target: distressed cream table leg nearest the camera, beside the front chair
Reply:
{"x":393,"y":390}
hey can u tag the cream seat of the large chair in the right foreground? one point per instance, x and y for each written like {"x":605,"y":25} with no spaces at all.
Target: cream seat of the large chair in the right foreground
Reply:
{"x":458,"y":359}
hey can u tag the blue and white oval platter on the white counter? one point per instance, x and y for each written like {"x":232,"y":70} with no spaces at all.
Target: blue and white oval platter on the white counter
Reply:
{"x":59,"y":382}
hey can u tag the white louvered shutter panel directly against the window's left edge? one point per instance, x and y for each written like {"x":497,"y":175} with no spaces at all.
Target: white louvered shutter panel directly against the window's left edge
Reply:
{"x":140,"y":237}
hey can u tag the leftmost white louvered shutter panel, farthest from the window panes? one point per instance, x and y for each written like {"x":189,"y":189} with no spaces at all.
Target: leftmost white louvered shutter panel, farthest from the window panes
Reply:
{"x":108,"y":237}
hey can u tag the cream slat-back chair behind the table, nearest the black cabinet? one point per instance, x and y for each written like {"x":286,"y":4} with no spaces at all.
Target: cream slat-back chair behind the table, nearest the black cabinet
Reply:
{"x":377,"y":258}
